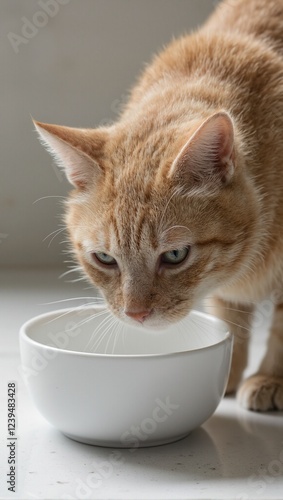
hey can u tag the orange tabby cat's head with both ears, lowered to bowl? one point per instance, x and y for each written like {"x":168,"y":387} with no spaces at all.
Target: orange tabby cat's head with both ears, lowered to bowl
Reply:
{"x":158,"y":218}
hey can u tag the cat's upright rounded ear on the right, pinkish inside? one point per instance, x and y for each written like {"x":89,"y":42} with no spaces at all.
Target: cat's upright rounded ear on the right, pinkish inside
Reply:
{"x":207,"y":159}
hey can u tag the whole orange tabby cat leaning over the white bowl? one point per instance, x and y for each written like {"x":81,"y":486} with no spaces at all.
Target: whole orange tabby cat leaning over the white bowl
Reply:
{"x":182,"y":198}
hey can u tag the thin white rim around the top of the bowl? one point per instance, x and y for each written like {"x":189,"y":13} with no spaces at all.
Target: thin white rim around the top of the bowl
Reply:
{"x":23,"y":336}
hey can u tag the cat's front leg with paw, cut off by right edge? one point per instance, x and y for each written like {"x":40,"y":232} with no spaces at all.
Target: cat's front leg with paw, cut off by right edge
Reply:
{"x":264,"y":390}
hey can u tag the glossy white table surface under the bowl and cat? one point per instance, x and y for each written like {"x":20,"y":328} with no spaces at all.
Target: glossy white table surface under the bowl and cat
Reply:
{"x":236,"y":454}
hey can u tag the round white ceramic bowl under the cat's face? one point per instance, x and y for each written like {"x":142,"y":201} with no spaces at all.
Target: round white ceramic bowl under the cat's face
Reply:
{"x":128,"y":389}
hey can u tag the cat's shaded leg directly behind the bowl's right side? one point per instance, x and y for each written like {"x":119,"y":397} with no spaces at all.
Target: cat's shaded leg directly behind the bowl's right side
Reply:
{"x":238,"y":318}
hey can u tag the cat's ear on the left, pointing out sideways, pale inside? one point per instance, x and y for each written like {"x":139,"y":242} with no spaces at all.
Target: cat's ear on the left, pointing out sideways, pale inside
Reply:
{"x":75,"y":150}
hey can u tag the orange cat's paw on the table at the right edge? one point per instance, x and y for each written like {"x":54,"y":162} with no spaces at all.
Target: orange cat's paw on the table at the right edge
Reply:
{"x":261,"y":393}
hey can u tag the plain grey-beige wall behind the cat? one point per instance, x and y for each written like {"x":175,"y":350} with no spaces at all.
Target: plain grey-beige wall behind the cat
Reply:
{"x":74,"y":70}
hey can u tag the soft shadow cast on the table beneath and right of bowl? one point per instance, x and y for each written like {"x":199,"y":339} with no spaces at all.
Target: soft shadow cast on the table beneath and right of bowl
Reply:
{"x":249,"y":445}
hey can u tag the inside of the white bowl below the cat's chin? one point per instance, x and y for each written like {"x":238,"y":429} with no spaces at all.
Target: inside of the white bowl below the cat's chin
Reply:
{"x":95,"y":330}
